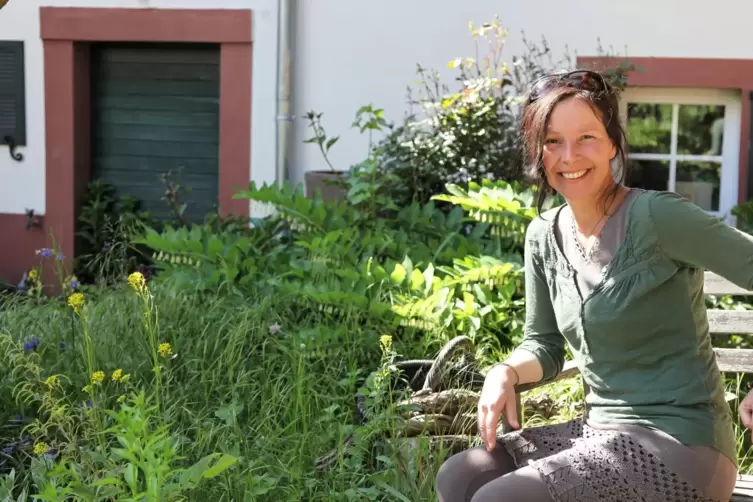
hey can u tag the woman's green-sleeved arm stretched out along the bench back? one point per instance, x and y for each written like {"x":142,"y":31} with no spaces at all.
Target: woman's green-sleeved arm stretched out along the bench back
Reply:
{"x":690,"y":235}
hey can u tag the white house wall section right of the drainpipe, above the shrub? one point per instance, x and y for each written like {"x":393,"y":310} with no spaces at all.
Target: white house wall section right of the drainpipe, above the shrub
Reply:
{"x":351,"y":53}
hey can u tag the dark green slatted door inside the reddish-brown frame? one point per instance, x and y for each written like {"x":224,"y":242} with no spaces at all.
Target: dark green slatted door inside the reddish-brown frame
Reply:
{"x":155,"y":109}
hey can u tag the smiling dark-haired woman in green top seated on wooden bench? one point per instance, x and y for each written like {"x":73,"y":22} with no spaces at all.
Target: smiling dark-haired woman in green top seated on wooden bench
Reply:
{"x":617,"y":274}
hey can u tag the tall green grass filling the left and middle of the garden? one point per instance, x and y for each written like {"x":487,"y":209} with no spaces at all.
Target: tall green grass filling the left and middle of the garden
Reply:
{"x":268,"y":380}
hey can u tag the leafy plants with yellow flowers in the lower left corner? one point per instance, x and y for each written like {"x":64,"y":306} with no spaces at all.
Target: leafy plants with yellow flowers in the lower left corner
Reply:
{"x":90,"y":442}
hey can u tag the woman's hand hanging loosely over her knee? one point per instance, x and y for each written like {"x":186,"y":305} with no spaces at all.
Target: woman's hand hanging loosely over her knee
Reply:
{"x":497,"y":397}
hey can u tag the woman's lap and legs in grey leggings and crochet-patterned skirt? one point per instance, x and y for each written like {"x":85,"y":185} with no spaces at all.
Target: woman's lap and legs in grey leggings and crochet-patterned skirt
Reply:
{"x":580,"y":462}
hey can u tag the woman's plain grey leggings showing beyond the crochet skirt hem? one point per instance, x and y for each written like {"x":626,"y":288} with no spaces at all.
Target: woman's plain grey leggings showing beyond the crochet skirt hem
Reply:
{"x":488,"y":477}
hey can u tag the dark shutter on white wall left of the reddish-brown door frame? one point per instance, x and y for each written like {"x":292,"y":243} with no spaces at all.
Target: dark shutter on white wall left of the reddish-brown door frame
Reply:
{"x":12,"y":93}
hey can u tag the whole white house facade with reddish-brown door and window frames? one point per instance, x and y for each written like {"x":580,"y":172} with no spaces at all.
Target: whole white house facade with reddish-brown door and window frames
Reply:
{"x":126,"y":90}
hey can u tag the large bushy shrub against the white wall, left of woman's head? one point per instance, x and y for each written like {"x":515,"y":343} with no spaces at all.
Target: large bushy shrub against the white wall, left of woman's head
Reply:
{"x":469,"y":131}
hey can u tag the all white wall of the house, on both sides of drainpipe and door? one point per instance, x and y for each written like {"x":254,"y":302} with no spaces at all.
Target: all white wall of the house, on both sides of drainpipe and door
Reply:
{"x":352,"y":52}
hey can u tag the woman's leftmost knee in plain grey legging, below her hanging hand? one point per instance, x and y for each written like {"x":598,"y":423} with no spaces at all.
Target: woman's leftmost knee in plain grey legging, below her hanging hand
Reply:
{"x":462,"y":474}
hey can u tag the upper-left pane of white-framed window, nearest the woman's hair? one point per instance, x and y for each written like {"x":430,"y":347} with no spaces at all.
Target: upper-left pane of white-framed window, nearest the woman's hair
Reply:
{"x":649,"y":127}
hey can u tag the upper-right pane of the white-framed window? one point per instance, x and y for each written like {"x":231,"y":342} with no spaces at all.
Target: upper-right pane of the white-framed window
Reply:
{"x":700,"y":130}
